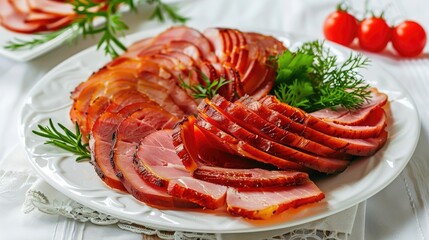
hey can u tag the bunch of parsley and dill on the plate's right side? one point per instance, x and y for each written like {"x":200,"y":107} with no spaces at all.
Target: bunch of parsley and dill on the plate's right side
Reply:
{"x":312,"y":78}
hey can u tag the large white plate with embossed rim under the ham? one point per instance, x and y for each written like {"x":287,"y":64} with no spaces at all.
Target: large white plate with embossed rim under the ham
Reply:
{"x":364,"y":178}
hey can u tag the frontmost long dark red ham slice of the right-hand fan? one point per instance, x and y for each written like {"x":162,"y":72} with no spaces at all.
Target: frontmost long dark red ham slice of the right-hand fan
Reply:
{"x":318,"y":163}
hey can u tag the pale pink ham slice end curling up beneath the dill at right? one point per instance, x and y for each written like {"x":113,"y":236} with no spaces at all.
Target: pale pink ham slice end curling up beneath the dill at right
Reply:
{"x":354,"y":117}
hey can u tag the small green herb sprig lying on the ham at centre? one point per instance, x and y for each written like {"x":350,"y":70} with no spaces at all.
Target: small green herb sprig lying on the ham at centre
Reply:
{"x":207,"y":89}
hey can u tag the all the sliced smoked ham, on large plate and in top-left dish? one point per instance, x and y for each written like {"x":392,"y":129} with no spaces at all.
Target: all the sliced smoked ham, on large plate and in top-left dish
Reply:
{"x":242,"y":150}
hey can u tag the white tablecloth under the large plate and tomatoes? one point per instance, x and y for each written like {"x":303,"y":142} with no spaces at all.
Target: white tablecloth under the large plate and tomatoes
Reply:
{"x":398,"y":212}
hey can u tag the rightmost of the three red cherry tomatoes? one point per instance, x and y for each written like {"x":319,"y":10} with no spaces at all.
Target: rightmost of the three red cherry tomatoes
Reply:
{"x":409,"y":38}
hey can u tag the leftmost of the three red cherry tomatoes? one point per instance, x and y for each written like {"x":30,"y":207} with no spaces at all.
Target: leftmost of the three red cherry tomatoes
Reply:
{"x":340,"y":27}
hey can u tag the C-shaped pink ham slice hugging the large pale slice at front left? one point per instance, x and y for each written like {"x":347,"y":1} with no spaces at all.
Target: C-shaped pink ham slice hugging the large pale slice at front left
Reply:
{"x":128,"y":135}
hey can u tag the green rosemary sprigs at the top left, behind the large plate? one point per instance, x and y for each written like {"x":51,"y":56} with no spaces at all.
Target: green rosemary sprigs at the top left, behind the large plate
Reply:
{"x":113,"y":27}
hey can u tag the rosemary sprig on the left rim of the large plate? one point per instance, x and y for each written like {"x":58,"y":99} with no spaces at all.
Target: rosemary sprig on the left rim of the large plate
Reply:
{"x":67,"y":140}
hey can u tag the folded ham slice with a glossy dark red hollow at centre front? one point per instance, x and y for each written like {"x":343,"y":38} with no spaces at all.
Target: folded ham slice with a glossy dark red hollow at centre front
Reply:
{"x":215,"y":164}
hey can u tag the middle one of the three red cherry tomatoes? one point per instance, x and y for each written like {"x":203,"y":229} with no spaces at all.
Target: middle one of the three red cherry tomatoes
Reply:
{"x":373,"y":34}
